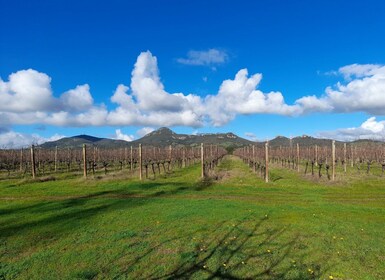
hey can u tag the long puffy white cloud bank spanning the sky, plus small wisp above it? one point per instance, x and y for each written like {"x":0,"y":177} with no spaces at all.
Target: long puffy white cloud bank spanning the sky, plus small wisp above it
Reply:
{"x":27,"y":98}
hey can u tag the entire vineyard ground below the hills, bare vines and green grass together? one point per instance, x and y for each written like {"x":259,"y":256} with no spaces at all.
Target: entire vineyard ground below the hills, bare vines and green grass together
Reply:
{"x":193,"y":212}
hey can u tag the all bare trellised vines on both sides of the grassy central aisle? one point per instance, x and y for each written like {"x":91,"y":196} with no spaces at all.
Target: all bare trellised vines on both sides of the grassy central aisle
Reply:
{"x":150,"y":161}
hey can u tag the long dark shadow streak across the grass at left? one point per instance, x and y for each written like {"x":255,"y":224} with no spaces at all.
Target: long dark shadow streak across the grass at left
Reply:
{"x":59,"y":215}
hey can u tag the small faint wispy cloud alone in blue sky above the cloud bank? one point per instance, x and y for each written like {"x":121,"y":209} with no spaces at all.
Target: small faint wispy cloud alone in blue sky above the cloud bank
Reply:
{"x":206,"y":58}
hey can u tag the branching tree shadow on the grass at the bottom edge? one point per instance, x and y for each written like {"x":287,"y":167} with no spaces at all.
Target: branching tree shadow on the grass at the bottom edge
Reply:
{"x":247,"y":250}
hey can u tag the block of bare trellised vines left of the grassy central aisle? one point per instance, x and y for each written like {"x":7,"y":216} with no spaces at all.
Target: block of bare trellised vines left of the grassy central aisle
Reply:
{"x":145,"y":162}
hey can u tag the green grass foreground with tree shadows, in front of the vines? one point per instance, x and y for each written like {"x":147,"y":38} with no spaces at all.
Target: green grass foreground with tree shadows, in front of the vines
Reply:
{"x":178,"y":227}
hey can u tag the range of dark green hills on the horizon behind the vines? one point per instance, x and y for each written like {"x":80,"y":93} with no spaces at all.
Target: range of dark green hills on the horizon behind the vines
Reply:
{"x":165,"y":136}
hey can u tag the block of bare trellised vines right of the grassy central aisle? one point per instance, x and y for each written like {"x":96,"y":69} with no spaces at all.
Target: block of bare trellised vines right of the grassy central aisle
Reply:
{"x":316,"y":160}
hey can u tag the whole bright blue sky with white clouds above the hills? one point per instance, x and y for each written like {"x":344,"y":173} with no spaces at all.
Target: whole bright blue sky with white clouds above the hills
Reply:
{"x":120,"y":69}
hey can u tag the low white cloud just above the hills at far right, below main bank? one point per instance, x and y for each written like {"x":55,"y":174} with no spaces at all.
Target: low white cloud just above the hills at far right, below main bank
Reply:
{"x":370,"y":129}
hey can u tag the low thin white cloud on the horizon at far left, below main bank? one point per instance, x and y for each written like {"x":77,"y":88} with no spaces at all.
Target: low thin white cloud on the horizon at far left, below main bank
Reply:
{"x":12,"y":139}
